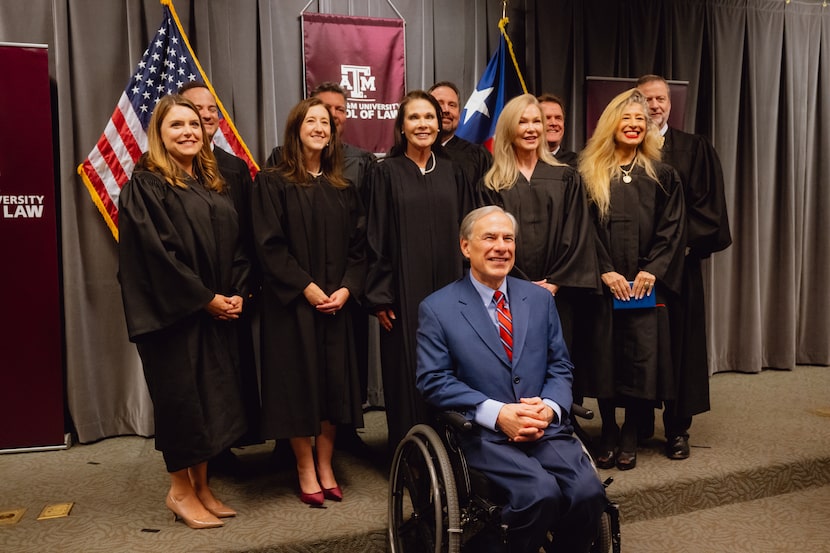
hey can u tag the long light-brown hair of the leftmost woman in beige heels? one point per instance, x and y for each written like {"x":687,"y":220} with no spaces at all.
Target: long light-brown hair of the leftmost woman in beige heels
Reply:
{"x":158,"y":159}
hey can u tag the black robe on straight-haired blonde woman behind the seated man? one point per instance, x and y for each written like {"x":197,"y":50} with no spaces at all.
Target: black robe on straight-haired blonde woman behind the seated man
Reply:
{"x":555,"y":239}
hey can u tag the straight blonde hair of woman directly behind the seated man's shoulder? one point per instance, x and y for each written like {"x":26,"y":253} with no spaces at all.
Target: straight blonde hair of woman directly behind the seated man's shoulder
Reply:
{"x":505,"y":171}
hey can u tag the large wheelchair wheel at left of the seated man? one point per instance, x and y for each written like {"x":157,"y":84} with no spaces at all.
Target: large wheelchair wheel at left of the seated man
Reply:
{"x":423,"y":502}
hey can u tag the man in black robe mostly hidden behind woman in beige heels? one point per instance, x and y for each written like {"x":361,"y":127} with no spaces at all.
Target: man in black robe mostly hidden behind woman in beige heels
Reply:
{"x":237,"y":178}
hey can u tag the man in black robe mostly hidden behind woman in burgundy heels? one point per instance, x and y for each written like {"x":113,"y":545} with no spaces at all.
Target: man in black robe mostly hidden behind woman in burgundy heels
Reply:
{"x":356,"y":164}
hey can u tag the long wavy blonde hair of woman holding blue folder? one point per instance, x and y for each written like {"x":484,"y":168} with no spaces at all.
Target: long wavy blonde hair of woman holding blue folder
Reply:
{"x":598,"y":163}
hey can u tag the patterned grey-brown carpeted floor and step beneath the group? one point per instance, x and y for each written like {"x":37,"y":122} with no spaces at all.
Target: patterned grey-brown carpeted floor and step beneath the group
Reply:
{"x":758,"y":480}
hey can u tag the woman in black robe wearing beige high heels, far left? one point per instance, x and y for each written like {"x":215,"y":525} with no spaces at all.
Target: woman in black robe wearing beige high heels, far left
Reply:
{"x":182,"y":274}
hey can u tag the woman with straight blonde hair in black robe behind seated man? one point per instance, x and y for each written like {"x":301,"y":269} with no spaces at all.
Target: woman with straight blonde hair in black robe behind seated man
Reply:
{"x":555,"y":238}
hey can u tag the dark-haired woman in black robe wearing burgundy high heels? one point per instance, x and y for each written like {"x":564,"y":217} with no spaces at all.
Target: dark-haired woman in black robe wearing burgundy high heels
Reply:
{"x":309,"y":229}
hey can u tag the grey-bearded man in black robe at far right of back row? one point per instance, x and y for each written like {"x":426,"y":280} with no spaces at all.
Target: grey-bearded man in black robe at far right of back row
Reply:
{"x":707,"y":232}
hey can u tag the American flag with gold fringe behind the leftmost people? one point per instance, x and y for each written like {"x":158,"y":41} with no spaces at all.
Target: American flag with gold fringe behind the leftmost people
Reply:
{"x":167,"y":64}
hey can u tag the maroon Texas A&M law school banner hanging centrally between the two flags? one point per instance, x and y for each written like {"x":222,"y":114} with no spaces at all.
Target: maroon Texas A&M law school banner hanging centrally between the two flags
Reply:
{"x":366,"y":56}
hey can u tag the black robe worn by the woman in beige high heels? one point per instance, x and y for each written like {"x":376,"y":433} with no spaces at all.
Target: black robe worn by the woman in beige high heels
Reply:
{"x":178,"y":247}
